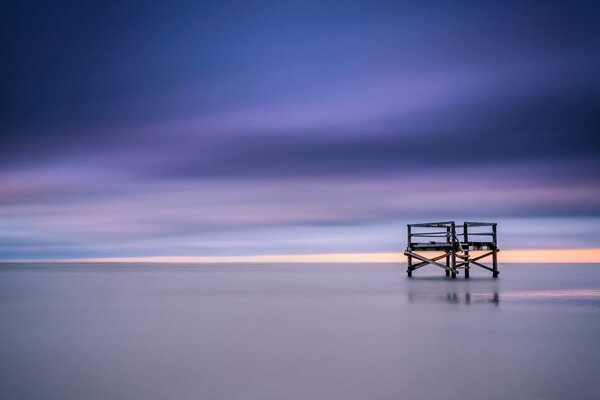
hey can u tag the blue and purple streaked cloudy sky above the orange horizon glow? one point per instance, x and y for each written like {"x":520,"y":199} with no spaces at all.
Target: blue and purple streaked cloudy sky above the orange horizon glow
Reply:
{"x":252,"y":128}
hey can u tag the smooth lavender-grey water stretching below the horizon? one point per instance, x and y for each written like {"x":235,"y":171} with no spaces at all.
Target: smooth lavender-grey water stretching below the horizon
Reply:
{"x":285,"y":332}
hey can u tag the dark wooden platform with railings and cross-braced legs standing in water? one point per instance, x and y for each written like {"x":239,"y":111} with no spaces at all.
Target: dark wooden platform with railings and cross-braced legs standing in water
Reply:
{"x":442,"y":237}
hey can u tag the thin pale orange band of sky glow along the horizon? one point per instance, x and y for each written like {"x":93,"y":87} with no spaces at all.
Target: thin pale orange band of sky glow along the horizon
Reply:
{"x":587,"y":255}
